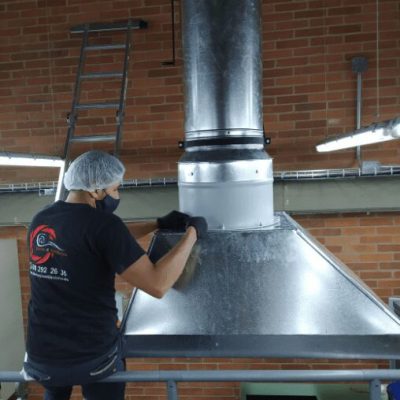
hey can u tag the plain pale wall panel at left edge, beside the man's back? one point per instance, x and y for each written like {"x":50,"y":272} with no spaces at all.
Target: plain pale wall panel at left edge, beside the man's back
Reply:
{"x":12,"y":343}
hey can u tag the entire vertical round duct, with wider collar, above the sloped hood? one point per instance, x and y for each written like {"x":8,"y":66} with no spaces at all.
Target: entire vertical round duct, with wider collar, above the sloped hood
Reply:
{"x":225,"y":175}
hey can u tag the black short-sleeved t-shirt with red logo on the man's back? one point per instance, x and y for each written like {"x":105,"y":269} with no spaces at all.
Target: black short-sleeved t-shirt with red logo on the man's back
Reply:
{"x":75,"y":252}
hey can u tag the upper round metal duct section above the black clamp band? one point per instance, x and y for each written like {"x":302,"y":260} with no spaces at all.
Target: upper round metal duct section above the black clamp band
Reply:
{"x":223,"y":68}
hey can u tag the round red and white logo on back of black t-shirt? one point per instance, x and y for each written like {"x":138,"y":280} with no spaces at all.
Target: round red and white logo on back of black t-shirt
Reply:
{"x":42,"y":245}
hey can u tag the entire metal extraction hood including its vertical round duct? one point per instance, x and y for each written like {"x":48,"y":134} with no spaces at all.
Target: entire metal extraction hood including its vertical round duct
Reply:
{"x":258,"y":285}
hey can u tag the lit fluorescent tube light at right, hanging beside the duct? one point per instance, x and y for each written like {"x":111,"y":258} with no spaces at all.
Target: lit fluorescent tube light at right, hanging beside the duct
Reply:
{"x":375,"y":133}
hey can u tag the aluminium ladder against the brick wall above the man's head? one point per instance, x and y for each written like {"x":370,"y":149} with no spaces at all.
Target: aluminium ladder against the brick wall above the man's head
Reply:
{"x":86,"y":29}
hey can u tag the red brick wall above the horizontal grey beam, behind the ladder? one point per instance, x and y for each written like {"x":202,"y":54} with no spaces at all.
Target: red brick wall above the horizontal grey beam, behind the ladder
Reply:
{"x":309,"y":88}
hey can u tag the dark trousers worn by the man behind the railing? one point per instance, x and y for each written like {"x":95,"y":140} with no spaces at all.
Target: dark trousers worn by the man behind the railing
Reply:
{"x":58,"y":381}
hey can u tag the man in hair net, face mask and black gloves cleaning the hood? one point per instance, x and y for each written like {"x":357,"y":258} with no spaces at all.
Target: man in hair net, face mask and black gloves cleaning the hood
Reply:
{"x":76,"y":248}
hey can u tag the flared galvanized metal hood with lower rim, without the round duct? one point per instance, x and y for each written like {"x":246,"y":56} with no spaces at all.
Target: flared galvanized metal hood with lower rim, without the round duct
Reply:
{"x":271,"y":292}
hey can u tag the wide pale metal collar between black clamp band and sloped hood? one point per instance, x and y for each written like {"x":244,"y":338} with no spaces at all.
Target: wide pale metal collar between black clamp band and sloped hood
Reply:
{"x":230,"y":193}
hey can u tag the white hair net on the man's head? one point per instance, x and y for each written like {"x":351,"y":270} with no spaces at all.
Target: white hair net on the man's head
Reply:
{"x":93,"y":170}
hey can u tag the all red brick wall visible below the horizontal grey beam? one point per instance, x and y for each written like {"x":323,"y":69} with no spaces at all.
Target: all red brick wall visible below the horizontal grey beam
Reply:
{"x":368,"y":244}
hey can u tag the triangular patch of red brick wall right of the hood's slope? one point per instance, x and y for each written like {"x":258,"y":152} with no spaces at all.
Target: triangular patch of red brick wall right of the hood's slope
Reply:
{"x":368,"y":244}
